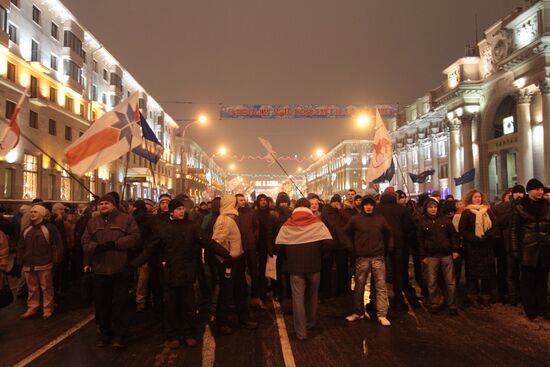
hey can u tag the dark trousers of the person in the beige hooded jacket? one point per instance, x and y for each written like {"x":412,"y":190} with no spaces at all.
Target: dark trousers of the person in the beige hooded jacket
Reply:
{"x":232,"y":288}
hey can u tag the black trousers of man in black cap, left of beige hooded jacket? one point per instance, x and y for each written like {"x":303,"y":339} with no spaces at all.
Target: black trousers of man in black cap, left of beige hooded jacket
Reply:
{"x":180,"y":312}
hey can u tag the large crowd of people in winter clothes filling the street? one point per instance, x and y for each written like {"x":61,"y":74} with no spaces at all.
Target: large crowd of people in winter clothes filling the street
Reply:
{"x":190,"y":262}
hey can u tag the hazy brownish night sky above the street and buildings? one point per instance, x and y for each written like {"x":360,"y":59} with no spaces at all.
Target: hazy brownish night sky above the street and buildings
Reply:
{"x":286,"y":51}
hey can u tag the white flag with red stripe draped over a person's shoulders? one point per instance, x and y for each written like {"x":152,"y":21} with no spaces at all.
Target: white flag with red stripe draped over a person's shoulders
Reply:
{"x":302,"y":227}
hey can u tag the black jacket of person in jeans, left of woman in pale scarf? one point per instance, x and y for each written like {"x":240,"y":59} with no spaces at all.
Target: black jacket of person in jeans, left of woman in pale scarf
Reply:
{"x":437,"y":236}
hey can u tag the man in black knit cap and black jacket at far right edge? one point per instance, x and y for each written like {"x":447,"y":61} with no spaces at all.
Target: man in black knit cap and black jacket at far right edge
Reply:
{"x":530,"y":242}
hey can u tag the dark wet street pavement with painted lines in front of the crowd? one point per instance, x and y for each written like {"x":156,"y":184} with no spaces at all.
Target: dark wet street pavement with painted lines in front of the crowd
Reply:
{"x":498,"y":336}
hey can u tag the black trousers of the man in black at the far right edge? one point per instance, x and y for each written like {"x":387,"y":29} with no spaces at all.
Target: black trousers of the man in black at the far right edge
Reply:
{"x":533,"y":290}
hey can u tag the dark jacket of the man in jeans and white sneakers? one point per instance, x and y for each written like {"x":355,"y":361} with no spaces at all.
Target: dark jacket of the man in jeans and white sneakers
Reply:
{"x":371,"y":235}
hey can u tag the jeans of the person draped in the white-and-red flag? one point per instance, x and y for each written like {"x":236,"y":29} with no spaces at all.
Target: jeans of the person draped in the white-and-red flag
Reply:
{"x":305,"y":288}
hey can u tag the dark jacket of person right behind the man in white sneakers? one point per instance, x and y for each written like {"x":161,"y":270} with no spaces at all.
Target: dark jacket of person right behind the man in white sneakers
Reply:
{"x":398,"y":218}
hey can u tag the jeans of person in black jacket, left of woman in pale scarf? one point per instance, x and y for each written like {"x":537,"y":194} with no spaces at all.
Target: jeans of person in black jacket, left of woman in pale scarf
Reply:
{"x":433,"y":266}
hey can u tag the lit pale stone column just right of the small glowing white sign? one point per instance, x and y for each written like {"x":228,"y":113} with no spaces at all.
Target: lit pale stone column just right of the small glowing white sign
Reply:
{"x":525,"y":148}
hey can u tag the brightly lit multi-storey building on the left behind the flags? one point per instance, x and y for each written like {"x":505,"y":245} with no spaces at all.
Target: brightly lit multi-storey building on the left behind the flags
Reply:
{"x":72,"y":81}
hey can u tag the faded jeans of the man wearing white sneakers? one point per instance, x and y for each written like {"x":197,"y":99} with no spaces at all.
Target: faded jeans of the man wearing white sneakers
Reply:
{"x":363,"y":266}
